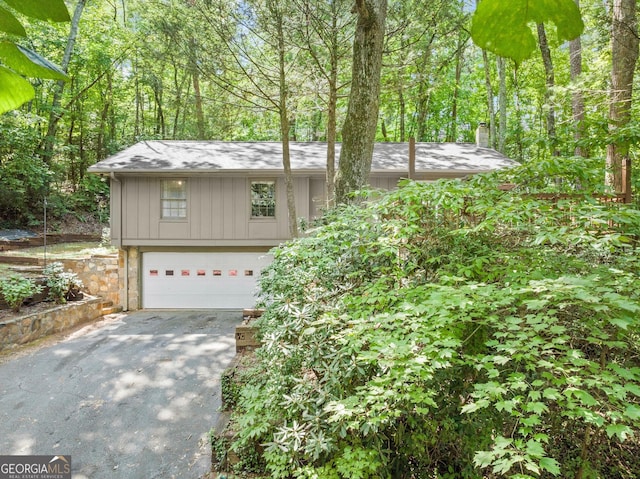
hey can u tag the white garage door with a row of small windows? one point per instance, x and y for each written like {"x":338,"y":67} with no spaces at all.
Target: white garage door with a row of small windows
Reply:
{"x":201,"y":280}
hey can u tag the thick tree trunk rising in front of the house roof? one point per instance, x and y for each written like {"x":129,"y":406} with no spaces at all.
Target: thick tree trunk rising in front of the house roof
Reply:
{"x":359,"y":130}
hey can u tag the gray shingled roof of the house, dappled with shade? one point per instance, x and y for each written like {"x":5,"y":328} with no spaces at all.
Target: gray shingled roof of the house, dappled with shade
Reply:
{"x":160,"y":156}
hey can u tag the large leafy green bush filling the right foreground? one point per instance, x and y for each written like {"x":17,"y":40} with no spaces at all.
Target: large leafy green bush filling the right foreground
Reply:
{"x":452,"y":330}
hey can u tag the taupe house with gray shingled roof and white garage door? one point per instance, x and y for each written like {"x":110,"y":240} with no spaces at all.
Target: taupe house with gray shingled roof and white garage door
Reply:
{"x":194,"y":220}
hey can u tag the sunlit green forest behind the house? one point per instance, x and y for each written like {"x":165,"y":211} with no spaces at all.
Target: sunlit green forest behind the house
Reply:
{"x":212,"y":70}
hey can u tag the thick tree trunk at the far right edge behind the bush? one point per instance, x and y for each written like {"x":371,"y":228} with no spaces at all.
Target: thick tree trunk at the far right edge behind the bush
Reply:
{"x":624,"y":55}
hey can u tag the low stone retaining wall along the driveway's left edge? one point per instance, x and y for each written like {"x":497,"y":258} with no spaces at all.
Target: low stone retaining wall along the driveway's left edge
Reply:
{"x":23,"y":329}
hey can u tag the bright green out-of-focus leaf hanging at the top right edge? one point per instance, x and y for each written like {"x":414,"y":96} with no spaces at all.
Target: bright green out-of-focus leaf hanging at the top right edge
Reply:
{"x":503,"y":26}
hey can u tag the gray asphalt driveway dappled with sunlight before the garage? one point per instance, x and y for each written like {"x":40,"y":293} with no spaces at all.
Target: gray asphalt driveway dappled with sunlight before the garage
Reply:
{"x":131,"y":397}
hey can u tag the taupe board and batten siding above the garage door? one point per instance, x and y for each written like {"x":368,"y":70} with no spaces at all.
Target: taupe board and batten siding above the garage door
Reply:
{"x":218,"y":212}
